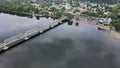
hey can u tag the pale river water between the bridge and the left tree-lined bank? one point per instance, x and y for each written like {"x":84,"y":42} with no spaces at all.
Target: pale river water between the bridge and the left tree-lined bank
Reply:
{"x":15,"y":24}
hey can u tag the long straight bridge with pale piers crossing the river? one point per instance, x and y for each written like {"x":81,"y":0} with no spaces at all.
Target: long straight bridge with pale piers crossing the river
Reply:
{"x":6,"y":44}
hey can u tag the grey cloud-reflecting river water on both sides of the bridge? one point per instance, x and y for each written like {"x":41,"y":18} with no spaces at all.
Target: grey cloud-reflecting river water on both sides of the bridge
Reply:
{"x":66,"y":46}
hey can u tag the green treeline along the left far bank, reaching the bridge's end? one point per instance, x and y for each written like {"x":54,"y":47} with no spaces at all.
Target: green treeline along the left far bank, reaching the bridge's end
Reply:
{"x":27,"y":8}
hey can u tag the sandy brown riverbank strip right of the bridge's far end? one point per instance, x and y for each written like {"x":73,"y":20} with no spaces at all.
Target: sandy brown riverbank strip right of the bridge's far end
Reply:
{"x":104,"y":29}
